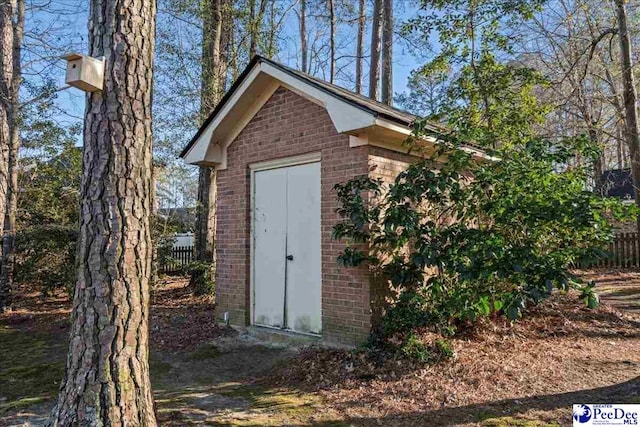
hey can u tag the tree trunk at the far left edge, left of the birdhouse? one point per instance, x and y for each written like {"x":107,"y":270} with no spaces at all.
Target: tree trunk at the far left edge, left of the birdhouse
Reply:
{"x":11,"y":31}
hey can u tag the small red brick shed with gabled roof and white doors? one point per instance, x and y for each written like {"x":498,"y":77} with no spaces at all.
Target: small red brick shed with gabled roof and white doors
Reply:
{"x":280,"y":140}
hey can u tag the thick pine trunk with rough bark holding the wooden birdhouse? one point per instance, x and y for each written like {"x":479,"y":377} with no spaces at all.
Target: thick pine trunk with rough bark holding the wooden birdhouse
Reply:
{"x":107,"y":373}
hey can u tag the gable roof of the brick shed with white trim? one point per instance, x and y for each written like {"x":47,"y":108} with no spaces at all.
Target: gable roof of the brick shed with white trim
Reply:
{"x":364,"y":120}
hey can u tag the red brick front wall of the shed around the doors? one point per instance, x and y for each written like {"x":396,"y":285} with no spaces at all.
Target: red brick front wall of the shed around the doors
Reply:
{"x":289,"y":125}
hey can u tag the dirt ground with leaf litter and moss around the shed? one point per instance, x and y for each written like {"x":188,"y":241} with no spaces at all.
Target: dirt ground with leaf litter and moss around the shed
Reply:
{"x":526,"y":374}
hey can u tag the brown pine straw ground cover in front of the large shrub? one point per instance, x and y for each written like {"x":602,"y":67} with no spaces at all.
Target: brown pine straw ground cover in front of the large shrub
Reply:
{"x":527,"y":373}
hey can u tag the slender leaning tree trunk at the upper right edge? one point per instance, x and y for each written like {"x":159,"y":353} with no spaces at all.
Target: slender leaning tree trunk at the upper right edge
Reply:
{"x":630,"y":100}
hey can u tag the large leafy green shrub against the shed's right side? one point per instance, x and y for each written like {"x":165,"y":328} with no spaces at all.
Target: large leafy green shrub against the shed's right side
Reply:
{"x":470,"y":239}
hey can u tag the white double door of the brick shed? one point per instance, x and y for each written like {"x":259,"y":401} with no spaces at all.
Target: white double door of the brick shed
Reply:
{"x":287,"y":256}
